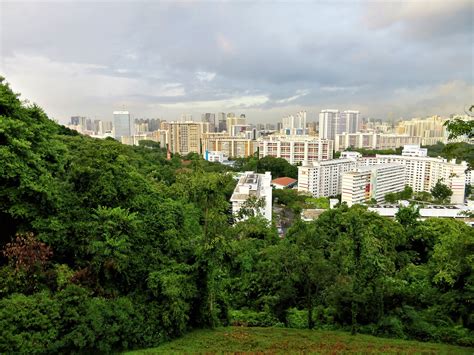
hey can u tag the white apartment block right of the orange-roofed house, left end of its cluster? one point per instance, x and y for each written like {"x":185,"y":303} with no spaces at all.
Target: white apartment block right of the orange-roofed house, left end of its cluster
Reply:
{"x":324,"y":178}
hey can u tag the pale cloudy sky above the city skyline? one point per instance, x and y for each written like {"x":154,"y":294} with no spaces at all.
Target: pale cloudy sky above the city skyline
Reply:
{"x":265,"y":59}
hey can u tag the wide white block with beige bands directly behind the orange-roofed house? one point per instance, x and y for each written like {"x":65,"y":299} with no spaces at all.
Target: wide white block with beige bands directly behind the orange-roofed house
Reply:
{"x":295,"y":149}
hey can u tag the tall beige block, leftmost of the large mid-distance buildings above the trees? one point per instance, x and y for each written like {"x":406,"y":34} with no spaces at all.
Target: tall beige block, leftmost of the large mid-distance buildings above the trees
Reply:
{"x":185,"y":137}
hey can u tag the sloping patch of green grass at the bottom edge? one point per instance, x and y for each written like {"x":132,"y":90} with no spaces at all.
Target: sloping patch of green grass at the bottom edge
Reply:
{"x":285,"y":340}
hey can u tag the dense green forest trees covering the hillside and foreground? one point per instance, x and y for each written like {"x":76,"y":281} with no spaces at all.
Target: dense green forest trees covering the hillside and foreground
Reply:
{"x":108,"y":247}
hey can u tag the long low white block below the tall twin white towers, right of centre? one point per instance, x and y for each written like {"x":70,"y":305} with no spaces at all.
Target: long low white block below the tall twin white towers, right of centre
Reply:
{"x":372,"y":140}
